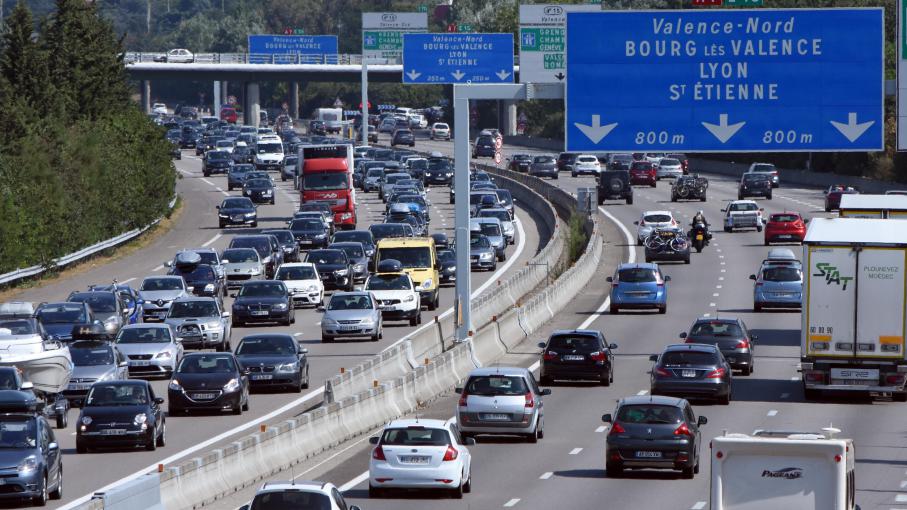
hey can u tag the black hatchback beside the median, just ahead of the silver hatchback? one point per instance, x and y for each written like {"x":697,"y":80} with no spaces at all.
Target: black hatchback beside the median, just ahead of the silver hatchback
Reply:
{"x":581,"y":354}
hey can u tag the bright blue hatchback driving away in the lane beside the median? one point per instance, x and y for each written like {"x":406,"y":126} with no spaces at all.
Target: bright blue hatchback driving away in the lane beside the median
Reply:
{"x":639,"y":287}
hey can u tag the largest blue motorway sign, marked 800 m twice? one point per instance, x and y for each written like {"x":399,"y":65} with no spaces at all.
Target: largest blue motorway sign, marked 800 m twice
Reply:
{"x":725,"y":81}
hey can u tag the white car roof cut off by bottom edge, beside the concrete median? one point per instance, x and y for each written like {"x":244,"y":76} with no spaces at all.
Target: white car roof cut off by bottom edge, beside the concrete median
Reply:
{"x":301,"y":494}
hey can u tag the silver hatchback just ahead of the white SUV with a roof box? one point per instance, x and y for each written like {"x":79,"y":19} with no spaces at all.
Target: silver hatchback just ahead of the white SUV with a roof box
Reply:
{"x":352,"y":314}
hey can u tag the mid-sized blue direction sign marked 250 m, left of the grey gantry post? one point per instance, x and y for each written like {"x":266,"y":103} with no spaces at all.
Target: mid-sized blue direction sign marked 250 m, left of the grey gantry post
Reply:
{"x":457,"y":58}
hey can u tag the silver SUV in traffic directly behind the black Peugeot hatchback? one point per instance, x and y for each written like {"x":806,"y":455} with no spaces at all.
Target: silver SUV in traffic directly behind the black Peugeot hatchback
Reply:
{"x":200,"y":322}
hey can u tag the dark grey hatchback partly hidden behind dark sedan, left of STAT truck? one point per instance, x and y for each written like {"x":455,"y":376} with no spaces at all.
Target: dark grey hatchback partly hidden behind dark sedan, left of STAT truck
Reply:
{"x":730,"y":335}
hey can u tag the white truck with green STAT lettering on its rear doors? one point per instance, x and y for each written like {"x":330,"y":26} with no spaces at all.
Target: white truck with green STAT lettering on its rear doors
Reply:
{"x":853,"y":320}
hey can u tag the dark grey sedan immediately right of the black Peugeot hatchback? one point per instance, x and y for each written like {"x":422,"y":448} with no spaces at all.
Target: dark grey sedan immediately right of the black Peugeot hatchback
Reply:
{"x":274,"y":360}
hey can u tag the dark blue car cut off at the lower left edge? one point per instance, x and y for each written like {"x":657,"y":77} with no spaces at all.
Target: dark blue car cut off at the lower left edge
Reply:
{"x":28,"y":441}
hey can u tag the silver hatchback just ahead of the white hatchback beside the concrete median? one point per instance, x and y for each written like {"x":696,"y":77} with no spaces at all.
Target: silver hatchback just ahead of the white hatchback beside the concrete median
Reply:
{"x":501,"y":401}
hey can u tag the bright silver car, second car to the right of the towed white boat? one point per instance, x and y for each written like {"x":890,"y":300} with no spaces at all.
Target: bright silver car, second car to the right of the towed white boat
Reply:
{"x":151,"y":349}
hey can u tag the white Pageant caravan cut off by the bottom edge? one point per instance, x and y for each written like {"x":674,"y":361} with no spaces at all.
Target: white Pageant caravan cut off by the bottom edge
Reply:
{"x":782,"y":470}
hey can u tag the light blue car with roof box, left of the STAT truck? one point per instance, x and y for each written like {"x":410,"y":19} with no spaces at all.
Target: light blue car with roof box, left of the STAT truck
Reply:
{"x":779,"y":283}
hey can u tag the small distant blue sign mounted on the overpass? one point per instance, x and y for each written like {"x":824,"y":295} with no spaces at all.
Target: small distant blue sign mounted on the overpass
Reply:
{"x":285,"y":49}
